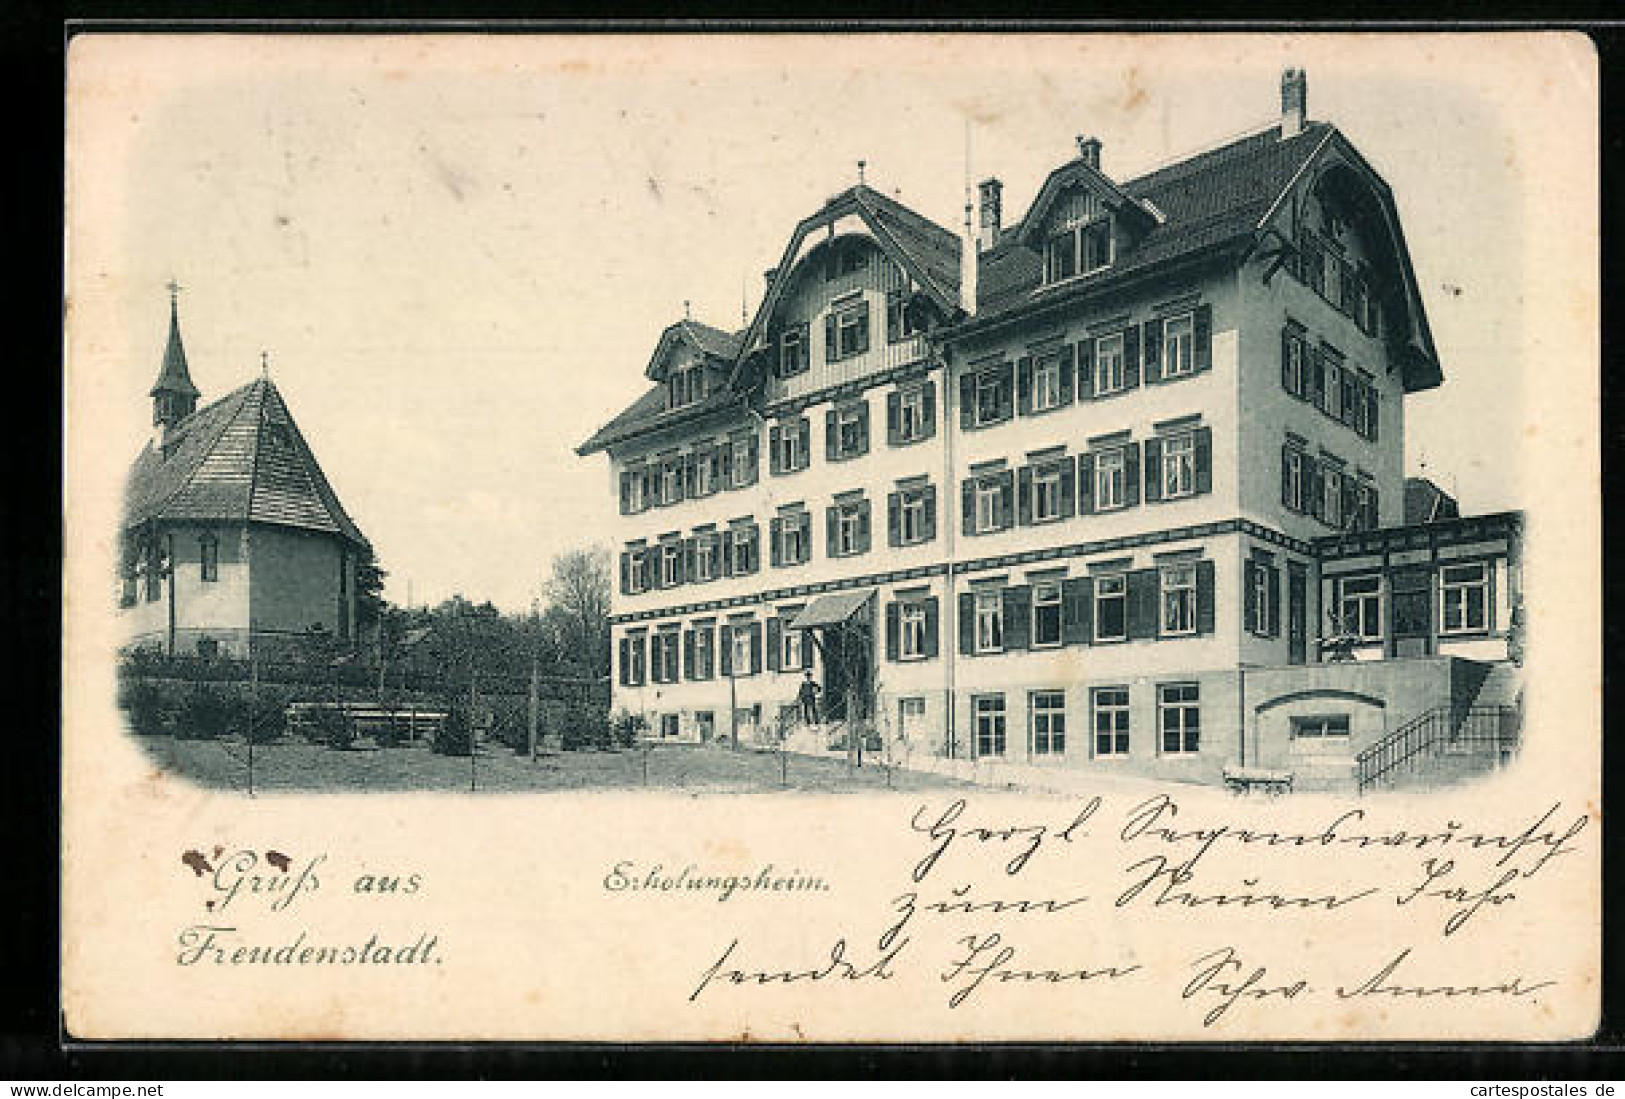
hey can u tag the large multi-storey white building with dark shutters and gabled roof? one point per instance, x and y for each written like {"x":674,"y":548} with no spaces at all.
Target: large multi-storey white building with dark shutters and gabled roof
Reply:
{"x":1072,"y":492}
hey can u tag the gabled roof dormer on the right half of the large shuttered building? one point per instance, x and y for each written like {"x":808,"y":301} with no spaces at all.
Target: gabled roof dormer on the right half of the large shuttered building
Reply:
{"x":1081,"y":222}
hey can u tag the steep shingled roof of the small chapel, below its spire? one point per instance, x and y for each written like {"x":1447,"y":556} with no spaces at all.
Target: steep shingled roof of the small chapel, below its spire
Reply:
{"x":222,"y":464}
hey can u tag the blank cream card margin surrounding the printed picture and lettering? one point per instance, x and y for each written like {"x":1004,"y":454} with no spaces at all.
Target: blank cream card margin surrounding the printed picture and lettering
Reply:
{"x":537,"y":949}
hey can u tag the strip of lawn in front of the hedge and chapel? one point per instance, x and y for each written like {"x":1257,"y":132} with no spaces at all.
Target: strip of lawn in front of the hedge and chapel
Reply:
{"x":300,"y":767}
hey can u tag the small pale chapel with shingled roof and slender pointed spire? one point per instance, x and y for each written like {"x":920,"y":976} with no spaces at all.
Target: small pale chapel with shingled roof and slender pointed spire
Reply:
{"x":233,"y":539}
